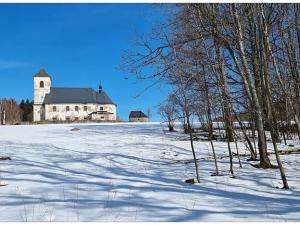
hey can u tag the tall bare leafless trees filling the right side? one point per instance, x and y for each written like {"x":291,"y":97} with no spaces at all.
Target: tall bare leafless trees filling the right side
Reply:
{"x":223,"y":60}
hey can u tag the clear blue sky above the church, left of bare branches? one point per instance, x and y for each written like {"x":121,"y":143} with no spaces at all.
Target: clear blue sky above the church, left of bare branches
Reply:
{"x":79,"y":45}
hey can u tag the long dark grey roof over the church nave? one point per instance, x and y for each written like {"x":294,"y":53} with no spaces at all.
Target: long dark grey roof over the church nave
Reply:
{"x":76,"y":95}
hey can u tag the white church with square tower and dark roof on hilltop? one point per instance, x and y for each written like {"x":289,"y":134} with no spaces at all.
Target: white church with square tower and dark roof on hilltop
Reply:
{"x":69,"y":104}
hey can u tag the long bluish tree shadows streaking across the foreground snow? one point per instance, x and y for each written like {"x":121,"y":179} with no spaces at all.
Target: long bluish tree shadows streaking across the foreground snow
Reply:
{"x":148,"y":185}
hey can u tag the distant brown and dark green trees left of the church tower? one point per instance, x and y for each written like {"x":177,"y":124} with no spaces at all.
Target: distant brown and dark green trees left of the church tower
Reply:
{"x":13,"y":113}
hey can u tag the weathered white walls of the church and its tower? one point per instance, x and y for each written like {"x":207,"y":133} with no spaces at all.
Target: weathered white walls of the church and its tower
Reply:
{"x":66,"y":111}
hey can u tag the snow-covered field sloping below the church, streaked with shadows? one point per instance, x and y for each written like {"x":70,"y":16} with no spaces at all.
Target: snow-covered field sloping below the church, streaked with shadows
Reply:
{"x":133,"y":172}
